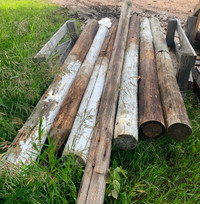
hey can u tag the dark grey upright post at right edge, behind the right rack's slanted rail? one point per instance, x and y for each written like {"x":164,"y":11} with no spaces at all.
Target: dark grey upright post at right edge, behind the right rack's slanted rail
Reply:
{"x":190,"y":27}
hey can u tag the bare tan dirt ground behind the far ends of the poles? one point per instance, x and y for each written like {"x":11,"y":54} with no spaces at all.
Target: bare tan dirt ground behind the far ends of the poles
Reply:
{"x":168,"y":8}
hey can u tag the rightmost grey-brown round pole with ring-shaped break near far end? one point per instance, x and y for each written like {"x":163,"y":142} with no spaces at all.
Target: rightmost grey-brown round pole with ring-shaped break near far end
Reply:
{"x":176,"y":118}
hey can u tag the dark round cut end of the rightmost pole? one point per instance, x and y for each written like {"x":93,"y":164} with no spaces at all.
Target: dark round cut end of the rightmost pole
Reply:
{"x":179,"y":131}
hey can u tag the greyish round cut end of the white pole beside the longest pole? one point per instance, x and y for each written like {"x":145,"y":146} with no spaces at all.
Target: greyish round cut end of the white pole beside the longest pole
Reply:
{"x":126,"y":142}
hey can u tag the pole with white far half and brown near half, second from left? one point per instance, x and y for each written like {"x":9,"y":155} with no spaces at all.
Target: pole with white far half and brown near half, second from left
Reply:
{"x":63,"y":122}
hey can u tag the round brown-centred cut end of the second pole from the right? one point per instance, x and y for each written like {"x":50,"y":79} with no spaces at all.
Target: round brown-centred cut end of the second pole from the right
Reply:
{"x":152,"y":129}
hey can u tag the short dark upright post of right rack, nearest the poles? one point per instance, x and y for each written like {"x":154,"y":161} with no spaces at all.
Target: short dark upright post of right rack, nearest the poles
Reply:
{"x":172,"y":23}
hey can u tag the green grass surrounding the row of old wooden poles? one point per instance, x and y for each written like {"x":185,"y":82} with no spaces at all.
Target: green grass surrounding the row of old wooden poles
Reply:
{"x":162,"y":171}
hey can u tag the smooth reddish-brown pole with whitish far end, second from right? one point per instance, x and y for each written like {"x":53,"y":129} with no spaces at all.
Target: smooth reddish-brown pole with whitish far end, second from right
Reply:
{"x":151,"y":119}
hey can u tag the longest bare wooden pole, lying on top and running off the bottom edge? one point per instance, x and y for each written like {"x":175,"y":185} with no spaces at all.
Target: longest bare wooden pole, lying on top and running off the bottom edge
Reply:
{"x":93,"y":184}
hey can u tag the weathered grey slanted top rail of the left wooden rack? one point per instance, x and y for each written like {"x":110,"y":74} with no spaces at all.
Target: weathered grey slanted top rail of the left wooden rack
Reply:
{"x":46,"y":50}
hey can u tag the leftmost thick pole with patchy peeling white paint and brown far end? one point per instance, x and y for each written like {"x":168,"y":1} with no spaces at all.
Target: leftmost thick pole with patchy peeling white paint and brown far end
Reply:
{"x":33,"y":133}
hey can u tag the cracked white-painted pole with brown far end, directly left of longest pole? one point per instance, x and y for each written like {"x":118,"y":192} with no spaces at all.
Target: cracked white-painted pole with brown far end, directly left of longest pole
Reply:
{"x":80,"y":136}
